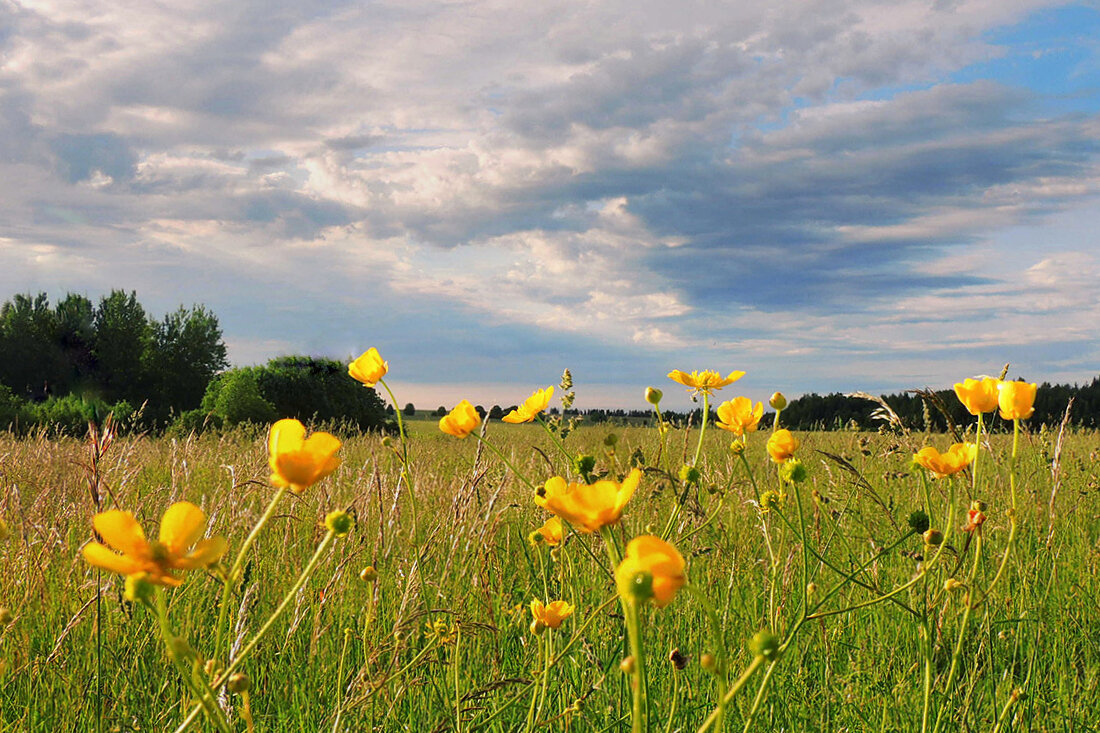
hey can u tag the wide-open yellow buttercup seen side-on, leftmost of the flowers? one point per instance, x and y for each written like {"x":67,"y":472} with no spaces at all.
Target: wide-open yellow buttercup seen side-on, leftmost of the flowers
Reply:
{"x":179,"y":546}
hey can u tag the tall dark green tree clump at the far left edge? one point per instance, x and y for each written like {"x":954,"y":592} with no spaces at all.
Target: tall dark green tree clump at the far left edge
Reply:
{"x":76,"y":360}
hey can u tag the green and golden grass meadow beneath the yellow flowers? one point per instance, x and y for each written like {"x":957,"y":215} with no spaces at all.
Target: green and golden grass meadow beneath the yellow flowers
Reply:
{"x":442,"y":641}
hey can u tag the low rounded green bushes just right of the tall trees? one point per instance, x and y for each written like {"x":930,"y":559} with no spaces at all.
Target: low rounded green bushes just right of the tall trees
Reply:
{"x":304,"y":388}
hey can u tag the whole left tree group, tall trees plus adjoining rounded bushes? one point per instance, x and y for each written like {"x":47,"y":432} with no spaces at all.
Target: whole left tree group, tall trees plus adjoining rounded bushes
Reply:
{"x":76,"y":362}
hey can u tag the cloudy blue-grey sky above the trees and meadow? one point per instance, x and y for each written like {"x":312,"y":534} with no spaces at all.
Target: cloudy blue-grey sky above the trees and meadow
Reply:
{"x":830,"y":195}
